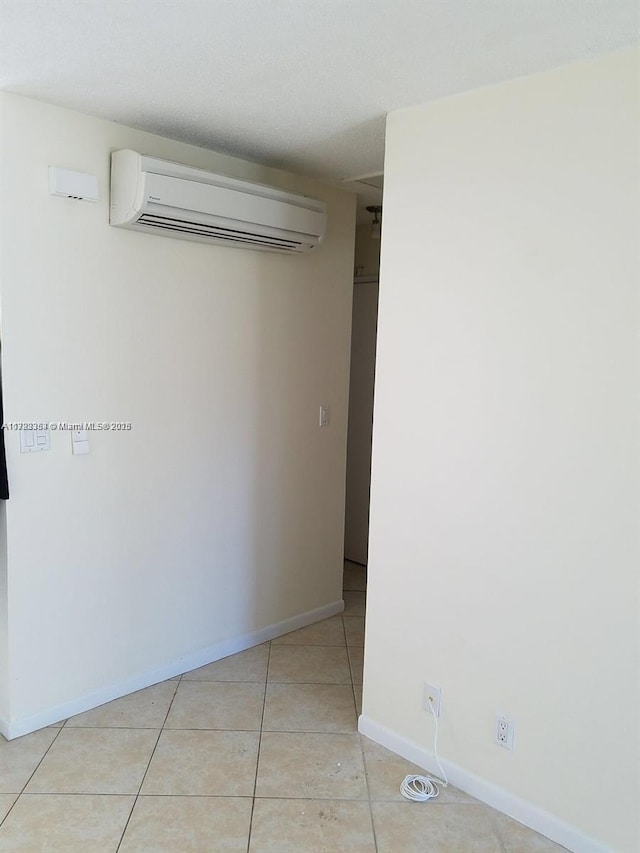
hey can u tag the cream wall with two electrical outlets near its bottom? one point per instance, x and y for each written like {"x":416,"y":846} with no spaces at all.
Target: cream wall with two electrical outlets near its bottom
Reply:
{"x":504,"y":547}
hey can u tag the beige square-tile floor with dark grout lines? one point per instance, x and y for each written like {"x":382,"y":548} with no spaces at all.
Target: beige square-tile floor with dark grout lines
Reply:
{"x":256,"y":753}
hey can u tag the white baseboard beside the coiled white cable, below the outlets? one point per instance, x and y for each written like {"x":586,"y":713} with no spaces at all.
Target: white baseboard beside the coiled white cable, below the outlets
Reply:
{"x":521,"y":810}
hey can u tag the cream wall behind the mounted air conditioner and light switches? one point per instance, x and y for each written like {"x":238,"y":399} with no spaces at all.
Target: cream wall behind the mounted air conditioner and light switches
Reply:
{"x":221,"y":513}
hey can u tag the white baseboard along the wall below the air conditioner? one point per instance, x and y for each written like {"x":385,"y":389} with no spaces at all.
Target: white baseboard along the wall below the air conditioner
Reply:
{"x":16,"y":728}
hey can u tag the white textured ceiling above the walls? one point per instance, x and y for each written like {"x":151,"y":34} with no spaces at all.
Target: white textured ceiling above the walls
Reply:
{"x":299,"y":84}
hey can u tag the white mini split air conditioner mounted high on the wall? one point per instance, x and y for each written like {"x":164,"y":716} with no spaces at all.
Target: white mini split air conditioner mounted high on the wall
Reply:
{"x":160,"y":197}
